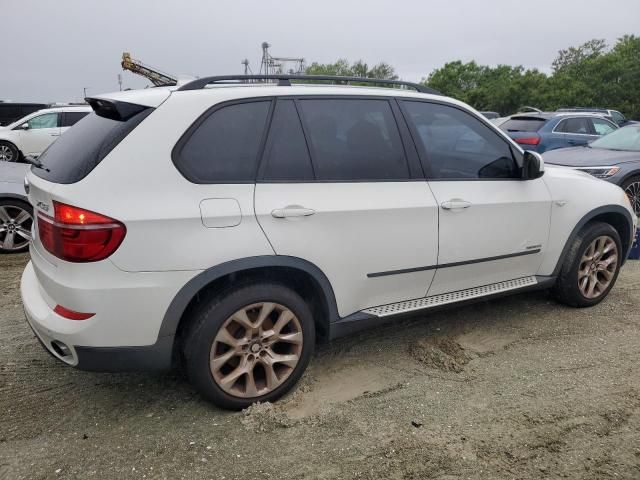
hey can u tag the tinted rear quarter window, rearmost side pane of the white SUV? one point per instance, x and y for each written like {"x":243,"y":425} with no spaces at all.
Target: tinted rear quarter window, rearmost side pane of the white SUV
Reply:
{"x":224,"y":147}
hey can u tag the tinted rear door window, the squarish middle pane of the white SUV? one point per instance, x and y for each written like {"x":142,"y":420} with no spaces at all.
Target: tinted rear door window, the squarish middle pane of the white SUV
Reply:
{"x":354,"y":139}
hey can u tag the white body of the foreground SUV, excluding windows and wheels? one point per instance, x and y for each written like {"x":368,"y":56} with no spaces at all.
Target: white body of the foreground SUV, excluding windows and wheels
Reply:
{"x":377,"y":248}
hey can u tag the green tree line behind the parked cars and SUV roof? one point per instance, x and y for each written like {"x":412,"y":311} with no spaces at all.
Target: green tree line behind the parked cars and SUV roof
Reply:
{"x":590,"y":75}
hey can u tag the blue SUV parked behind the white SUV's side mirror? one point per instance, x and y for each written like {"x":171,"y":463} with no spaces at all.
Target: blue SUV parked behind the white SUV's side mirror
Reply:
{"x":545,"y":131}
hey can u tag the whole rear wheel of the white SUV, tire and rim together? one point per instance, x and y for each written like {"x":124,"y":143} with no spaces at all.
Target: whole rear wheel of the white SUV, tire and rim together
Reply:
{"x":248,"y":345}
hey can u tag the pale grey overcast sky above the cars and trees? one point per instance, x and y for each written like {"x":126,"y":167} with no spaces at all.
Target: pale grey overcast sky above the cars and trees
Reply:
{"x":52,"y":49}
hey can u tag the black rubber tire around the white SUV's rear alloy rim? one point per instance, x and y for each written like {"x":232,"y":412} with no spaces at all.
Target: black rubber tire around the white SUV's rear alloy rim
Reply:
{"x":207,"y":322}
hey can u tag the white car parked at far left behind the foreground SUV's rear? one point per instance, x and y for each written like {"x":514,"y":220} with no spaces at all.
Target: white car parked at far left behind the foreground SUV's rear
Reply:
{"x":32,"y":134}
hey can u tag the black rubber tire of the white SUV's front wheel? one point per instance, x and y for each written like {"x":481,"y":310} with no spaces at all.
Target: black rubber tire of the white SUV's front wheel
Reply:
{"x":568,"y":289}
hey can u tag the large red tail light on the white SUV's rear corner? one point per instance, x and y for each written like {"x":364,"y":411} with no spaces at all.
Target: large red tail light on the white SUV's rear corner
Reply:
{"x":78,"y":235}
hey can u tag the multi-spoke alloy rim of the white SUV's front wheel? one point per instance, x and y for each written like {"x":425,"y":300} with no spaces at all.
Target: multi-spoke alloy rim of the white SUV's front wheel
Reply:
{"x":598,"y":267}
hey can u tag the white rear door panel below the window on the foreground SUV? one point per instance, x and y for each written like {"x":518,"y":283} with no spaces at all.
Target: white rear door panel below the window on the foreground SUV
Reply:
{"x":354,"y":230}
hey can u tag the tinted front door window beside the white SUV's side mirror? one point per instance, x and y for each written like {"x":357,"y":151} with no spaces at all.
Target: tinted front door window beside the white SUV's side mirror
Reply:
{"x":458,"y":145}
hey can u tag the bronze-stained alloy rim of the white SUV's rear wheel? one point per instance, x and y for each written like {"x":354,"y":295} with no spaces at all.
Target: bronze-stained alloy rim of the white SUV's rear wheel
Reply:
{"x":256,"y":350}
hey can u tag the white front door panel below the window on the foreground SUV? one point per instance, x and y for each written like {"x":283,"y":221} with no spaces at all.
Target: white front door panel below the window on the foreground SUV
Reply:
{"x":502,"y":219}
